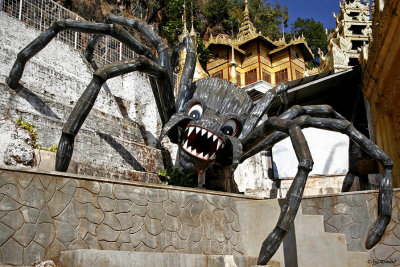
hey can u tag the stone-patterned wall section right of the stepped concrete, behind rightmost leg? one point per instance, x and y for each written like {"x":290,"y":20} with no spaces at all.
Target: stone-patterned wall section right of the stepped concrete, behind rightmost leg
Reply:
{"x":353,"y":214}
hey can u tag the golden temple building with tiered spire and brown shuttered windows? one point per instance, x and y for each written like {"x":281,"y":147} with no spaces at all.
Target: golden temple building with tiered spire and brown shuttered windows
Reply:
{"x":252,"y":57}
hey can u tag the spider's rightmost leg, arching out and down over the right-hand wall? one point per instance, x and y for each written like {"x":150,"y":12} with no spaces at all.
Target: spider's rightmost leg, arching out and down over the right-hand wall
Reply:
{"x":303,"y":117}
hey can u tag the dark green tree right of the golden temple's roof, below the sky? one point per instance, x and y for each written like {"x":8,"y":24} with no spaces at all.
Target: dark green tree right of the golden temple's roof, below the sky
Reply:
{"x":314,"y":34}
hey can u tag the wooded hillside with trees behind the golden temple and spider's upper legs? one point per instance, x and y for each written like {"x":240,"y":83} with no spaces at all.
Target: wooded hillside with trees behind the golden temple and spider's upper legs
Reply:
{"x":211,"y":17}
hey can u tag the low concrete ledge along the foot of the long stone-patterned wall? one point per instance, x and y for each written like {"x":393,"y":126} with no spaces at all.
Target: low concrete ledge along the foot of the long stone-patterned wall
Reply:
{"x":111,"y":258}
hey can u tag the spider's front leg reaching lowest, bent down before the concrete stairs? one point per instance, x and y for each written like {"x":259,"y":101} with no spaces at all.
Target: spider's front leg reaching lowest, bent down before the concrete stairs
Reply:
{"x":294,"y":195}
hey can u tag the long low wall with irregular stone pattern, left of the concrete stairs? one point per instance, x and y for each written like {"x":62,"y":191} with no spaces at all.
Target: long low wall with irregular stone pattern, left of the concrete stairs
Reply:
{"x":42,"y":214}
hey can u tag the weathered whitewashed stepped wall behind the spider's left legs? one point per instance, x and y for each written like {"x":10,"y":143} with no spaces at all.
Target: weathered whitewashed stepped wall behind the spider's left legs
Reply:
{"x":120,"y":132}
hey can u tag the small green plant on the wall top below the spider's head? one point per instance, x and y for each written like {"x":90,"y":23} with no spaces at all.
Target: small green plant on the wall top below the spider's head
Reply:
{"x":178,"y":177}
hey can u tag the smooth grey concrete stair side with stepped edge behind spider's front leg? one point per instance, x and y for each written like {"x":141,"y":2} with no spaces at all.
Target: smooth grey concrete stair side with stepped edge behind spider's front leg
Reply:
{"x":307,"y":244}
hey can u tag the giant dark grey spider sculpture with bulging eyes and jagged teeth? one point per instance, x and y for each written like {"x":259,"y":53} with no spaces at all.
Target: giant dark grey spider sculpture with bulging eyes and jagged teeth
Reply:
{"x":214,"y":122}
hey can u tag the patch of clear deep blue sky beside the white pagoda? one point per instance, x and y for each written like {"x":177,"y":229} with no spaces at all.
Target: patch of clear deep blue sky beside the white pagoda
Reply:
{"x":319,"y":10}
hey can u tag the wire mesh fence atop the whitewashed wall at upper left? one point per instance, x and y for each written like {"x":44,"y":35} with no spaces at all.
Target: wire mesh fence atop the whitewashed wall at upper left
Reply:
{"x":40,"y":14}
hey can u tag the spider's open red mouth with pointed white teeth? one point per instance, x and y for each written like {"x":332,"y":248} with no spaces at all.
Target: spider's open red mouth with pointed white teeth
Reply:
{"x":202,"y":143}
